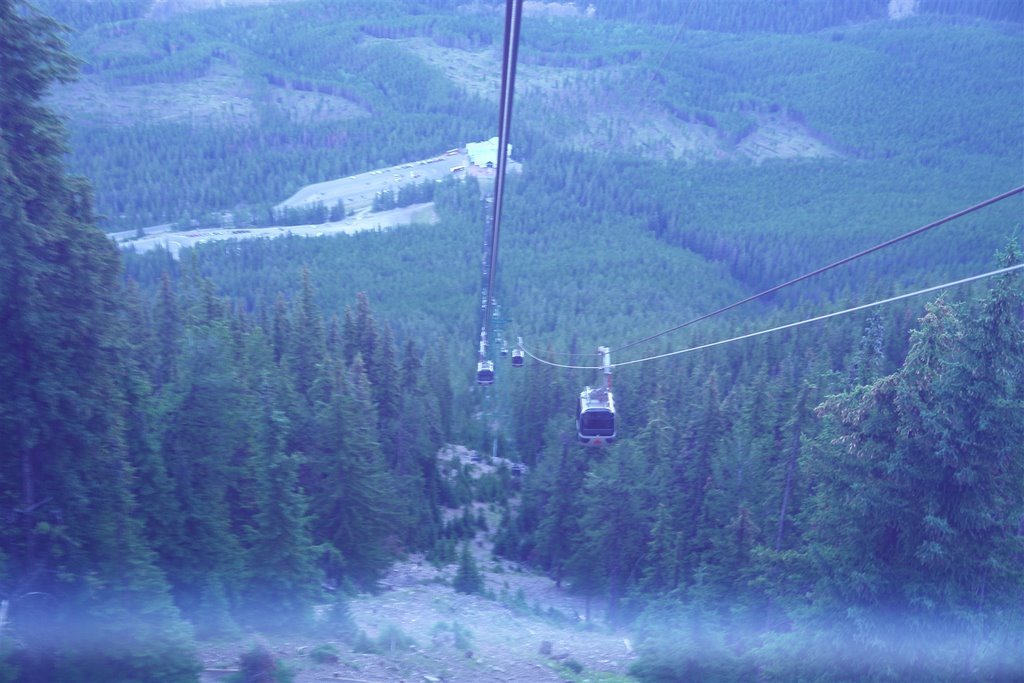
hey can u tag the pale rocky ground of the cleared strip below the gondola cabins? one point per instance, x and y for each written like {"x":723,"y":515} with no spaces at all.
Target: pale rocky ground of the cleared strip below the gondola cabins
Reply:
{"x":524,"y":629}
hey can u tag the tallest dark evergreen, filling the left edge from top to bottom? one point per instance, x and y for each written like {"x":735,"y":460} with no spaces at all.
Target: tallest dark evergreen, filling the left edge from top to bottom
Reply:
{"x":90,"y":603}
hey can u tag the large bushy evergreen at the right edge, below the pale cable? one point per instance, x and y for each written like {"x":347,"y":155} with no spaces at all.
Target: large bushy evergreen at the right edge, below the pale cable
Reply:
{"x":928,"y":463}
